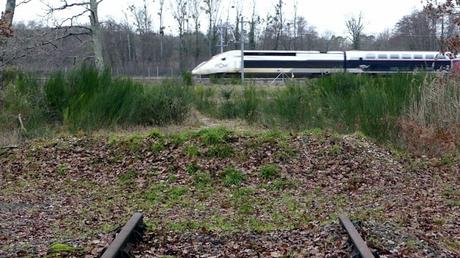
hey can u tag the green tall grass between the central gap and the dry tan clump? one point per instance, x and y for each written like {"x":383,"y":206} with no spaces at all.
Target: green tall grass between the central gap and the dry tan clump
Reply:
{"x":344,"y":102}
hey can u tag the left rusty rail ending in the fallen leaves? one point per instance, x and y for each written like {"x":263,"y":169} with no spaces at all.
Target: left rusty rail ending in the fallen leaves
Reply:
{"x":132,"y":232}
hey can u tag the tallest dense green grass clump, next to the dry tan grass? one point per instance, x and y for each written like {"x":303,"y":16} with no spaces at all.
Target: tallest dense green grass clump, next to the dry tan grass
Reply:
{"x":372,"y":105}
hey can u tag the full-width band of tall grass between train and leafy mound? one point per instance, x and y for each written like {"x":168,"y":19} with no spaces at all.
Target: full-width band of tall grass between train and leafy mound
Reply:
{"x":418,"y":112}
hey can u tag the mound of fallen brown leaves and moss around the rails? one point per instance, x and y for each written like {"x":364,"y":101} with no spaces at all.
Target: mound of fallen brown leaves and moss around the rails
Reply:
{"x":79,"y":191}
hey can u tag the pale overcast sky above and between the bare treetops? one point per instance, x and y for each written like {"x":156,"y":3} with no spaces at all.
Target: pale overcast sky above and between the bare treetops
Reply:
{"x":324,"y":15}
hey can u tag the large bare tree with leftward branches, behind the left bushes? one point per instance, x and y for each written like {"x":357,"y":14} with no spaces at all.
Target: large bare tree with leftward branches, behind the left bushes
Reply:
{"x":80,"y":9}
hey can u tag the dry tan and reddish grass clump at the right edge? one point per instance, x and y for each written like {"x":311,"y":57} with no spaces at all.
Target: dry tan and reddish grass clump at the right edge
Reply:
{"x":432,"y":122}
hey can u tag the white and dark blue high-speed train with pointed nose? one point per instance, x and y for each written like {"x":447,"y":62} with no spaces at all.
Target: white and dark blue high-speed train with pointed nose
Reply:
{"x":310,"y":63}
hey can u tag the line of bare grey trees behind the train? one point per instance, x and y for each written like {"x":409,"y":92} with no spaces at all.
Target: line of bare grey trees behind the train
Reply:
{"x":134,"y":47}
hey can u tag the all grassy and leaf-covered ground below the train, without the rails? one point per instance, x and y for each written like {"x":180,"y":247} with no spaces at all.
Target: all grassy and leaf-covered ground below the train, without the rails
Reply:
{"x":324,"y":152}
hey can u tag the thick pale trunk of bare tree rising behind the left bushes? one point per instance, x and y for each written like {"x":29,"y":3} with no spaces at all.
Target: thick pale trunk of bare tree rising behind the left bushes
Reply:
{"x":96,"y":35}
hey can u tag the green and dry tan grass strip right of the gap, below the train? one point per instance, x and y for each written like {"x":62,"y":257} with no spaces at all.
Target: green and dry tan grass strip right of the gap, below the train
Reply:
{"x":417,"y":112}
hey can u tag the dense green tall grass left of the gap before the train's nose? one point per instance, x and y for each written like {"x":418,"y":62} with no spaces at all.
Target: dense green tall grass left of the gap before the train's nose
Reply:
{"x":86,"y":99}
